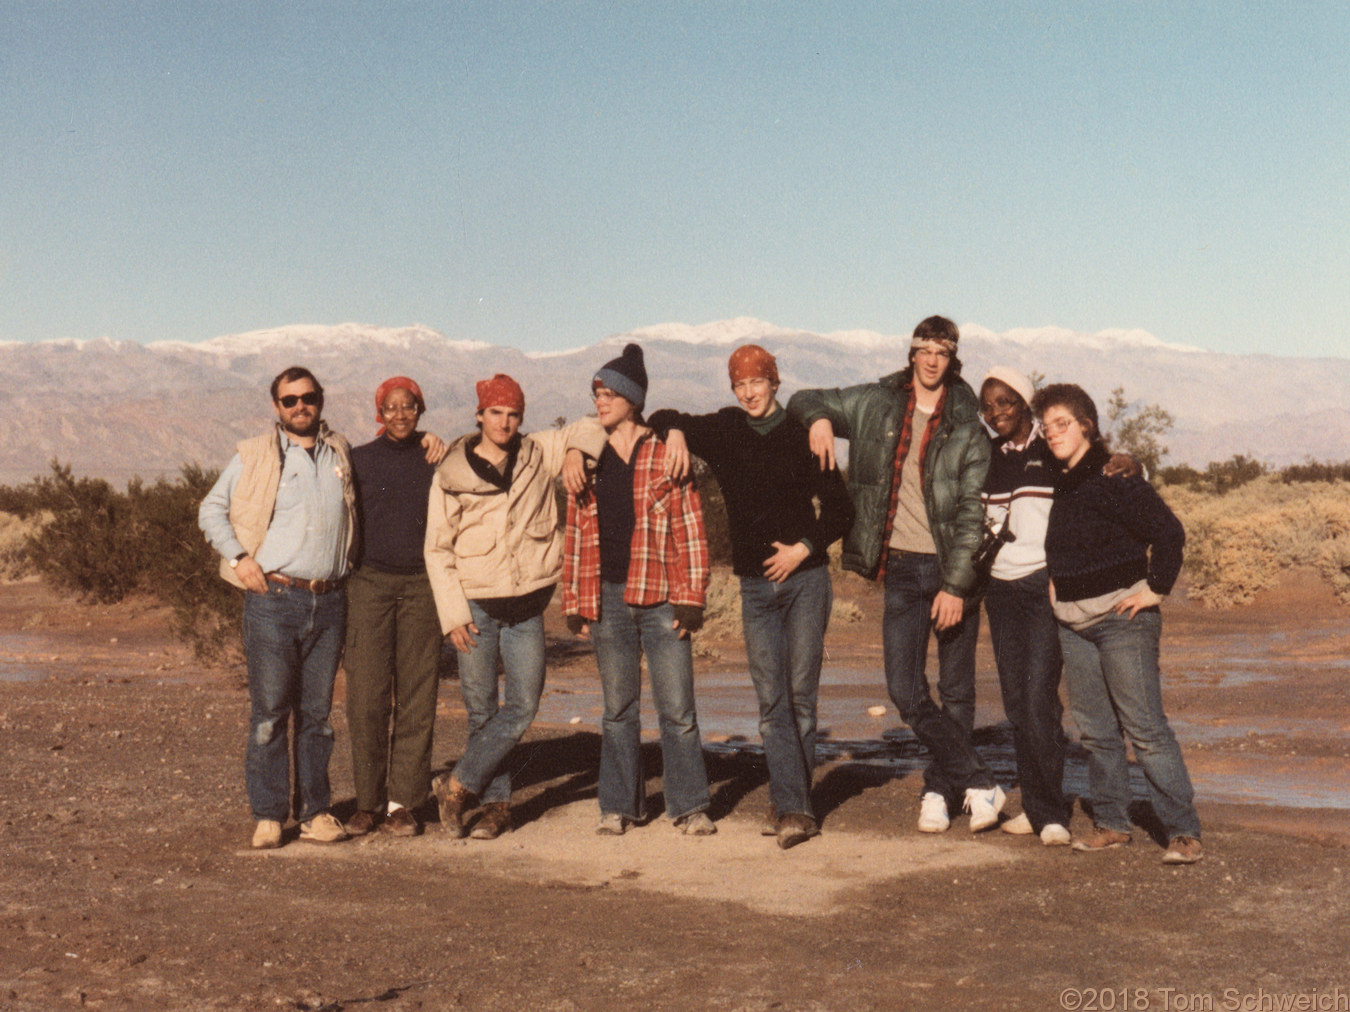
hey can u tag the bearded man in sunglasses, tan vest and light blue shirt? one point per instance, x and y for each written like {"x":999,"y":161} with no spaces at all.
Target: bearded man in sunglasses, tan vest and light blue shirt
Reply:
{"x":283,"y":517}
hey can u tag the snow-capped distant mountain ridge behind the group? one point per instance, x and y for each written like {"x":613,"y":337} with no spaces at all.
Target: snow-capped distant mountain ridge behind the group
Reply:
{"x":118,"y":410}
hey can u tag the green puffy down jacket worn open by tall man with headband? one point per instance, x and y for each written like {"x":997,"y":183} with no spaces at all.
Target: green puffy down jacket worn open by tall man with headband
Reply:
{"x":870,"y":416}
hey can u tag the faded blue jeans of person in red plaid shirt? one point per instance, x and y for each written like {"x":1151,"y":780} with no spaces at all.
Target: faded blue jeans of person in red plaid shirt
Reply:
{"x":622,"y":636}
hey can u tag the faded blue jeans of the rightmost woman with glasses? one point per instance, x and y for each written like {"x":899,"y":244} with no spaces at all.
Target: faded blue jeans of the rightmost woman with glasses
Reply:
{"x":1112,"y":670}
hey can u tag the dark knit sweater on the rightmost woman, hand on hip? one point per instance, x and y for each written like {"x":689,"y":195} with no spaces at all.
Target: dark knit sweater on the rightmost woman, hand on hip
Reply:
{"x":1108,"y":534}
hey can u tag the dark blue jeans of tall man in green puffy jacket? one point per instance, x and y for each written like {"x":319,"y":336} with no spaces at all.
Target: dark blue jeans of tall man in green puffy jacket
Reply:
{"x":913,"y":581}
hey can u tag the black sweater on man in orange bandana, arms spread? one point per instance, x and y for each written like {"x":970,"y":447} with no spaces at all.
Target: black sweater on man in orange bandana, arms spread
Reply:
{"x":769,"y":484}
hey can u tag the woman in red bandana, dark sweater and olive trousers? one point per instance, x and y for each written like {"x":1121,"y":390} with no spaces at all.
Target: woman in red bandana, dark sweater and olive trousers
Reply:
{"x":394,"y":639}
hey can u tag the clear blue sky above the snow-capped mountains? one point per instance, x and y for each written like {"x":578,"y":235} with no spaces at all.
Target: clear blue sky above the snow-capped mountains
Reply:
{"x":545,"y":175}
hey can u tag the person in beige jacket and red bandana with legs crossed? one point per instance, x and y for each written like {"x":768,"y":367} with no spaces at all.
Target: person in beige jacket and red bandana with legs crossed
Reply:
{"x":495,"y":555}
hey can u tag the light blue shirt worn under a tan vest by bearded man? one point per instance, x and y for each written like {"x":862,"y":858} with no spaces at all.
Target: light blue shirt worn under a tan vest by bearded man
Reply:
{"x":308,"y":534}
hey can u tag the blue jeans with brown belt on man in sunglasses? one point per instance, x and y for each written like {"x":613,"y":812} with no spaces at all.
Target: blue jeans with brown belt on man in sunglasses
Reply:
{"x":292,"y":642}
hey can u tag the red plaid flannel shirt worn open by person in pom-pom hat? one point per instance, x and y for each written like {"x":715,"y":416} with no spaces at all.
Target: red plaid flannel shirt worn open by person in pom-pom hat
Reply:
{"x":669,"y":557}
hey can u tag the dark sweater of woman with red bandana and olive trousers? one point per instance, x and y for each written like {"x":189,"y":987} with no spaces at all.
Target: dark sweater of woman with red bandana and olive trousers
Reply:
{"x":394,"y":484}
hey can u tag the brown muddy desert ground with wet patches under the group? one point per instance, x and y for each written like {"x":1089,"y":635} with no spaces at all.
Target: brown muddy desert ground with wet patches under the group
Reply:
{"x":128,"y":883}
